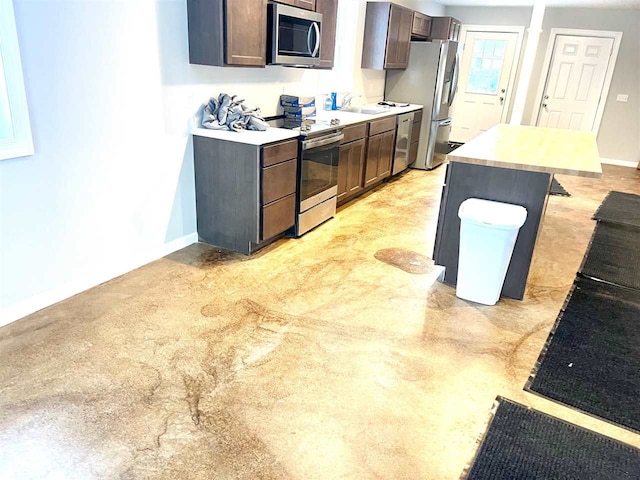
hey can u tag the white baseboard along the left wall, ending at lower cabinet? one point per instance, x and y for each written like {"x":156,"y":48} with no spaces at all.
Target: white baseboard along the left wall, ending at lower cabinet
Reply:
{"x":48,"y":298}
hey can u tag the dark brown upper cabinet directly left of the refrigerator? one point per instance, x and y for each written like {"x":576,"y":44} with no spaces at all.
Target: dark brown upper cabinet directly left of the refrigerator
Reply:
{"x":387,"y":36}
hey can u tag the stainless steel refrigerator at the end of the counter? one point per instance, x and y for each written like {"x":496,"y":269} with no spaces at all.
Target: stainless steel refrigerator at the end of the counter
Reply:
{"x":431,"y":80}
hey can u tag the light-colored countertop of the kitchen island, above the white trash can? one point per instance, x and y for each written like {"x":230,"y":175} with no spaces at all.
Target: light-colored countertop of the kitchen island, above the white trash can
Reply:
{"x":549,"y":150}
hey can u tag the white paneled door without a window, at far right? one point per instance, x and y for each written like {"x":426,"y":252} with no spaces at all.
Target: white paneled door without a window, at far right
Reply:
{"x":575,"y":82}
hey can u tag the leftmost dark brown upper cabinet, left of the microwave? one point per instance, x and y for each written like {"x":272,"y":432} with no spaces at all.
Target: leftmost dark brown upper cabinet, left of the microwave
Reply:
{"x":227,"y":32}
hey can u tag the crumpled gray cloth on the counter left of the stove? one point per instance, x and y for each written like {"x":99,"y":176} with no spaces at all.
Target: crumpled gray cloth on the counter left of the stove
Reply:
{"x":231,"y":113}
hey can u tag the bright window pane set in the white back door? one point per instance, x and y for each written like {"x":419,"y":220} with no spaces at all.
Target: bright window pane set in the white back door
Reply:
{"x":486,"y":66}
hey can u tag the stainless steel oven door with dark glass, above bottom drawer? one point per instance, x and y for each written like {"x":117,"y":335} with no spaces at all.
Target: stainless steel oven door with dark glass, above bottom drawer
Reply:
{"x":319,"y":169}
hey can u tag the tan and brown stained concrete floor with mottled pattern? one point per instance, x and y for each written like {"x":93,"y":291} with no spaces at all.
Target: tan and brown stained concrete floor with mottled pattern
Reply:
{"x":337,"y":355}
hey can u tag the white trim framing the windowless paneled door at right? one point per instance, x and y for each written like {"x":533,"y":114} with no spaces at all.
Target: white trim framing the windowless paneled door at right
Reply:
{"x":617,"y":38}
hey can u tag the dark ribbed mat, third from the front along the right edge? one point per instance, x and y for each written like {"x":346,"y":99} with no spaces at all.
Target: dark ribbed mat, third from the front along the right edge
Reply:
{"x":614,"y":255}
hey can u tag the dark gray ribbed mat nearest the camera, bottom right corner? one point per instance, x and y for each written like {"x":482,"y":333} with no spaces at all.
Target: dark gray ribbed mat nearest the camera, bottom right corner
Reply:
{"x":524,"y":444}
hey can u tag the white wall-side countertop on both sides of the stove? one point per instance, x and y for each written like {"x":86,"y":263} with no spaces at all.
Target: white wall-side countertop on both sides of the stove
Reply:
{"x":272,"y":135}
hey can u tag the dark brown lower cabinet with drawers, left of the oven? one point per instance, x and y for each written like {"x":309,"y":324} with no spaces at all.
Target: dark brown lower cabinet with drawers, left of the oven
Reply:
{"x":245,"y":194}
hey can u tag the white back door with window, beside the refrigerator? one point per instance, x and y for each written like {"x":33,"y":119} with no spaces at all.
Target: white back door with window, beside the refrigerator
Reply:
{"x":487,"y":72}
